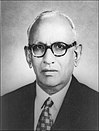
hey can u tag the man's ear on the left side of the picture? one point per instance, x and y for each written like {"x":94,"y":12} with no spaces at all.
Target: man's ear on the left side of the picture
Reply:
{"x":28,"y":56}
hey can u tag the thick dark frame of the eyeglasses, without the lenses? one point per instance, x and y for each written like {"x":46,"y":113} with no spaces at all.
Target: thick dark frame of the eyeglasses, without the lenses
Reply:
{"x":50,"y":47}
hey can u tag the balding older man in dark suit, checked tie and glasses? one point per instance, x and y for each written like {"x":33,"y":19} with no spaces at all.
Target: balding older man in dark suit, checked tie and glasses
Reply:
{"x":53,"y":52}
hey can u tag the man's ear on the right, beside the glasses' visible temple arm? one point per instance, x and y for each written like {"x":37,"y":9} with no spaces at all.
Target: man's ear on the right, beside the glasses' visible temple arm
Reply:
{"x":77,"y":55}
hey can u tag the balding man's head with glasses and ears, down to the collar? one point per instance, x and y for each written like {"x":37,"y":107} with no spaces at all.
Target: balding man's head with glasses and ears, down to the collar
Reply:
{"x":52,"y":50}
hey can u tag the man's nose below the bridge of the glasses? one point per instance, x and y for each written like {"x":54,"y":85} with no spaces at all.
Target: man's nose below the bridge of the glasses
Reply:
{"x":49,"y":57}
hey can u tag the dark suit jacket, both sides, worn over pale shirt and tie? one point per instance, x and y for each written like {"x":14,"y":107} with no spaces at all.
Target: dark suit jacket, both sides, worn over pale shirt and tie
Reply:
{"x":78,"y":111}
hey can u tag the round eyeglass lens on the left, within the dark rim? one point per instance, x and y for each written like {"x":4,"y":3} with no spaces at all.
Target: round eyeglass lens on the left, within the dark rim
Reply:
{"x":38,"y":50}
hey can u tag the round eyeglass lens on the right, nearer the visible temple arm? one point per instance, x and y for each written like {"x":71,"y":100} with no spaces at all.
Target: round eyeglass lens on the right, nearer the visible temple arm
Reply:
{"x":59,"y":48}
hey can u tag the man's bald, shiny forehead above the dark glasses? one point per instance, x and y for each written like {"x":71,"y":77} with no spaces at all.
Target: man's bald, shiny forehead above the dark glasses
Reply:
{"x":52,"y":29}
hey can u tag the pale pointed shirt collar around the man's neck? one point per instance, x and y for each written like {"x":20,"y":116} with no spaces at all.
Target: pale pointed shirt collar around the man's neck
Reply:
{"x":57,"y":98}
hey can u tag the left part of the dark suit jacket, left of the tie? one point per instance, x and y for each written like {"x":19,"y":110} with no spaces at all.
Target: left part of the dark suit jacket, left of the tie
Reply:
{"x":17,"y":107}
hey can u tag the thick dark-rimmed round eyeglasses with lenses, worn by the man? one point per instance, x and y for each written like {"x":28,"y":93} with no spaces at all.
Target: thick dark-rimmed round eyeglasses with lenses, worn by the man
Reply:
{"x":58,"y":48}
